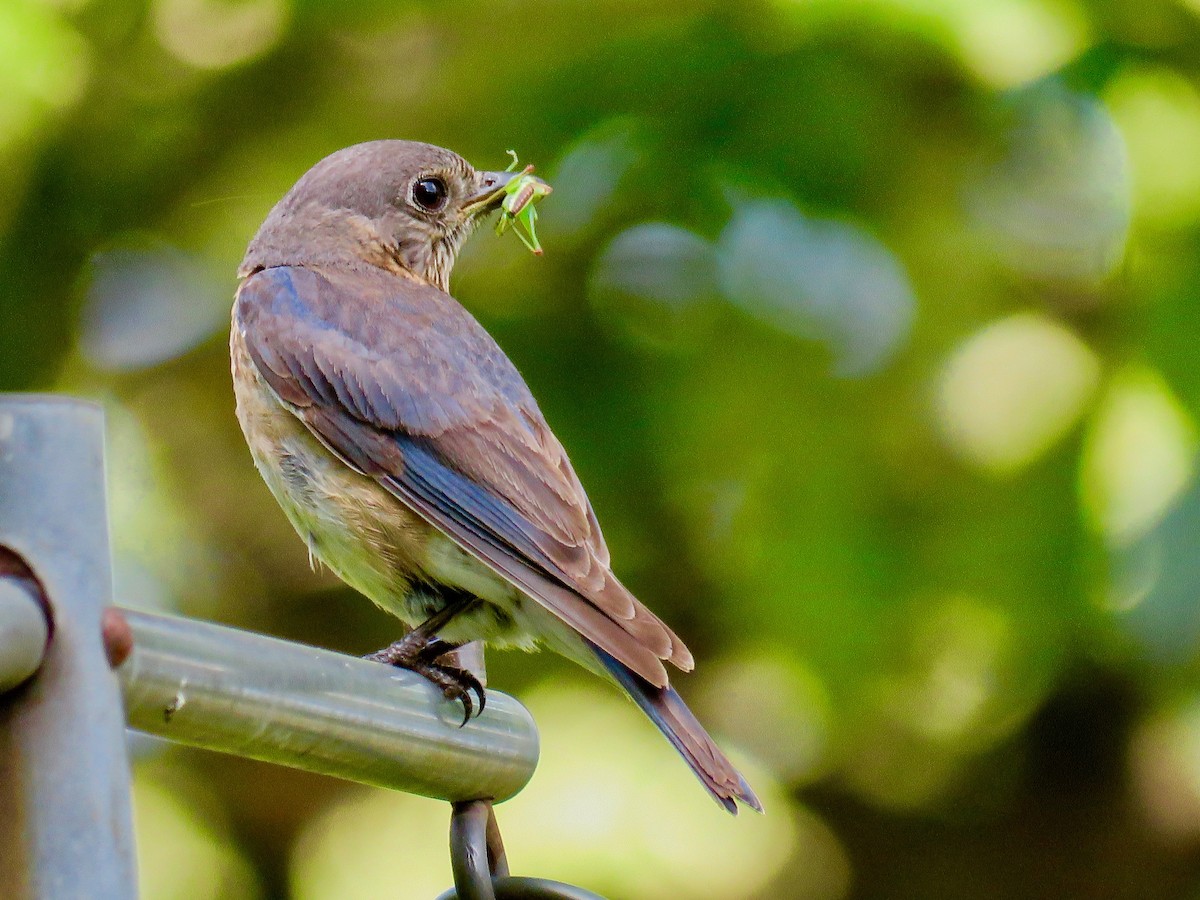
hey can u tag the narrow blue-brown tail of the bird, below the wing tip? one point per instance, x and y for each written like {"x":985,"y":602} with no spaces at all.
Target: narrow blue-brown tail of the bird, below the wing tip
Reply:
{"x":668,"y":711}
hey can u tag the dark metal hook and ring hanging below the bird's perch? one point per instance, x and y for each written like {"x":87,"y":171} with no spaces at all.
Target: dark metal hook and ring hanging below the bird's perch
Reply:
{"x":481,"y":866}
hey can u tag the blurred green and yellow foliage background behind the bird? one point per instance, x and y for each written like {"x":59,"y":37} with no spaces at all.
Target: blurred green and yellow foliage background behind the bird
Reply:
{"x":869,"y":326}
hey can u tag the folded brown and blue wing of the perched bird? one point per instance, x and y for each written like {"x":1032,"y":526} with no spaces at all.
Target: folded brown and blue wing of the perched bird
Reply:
{"x":399,"y":381}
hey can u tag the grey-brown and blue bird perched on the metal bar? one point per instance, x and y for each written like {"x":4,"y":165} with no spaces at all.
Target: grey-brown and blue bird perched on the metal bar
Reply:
{"x":409,"y":453}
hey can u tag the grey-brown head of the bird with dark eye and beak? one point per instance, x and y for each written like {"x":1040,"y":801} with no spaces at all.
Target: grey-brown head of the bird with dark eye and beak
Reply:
{"x":386,"y":203}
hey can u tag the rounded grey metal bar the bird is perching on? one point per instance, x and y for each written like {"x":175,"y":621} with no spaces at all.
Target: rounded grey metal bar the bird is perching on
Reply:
{"x":223,"y":689}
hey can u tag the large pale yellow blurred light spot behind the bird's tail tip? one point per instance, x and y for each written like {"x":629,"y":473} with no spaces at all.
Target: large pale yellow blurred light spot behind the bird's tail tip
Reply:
{"x":704,"y":854}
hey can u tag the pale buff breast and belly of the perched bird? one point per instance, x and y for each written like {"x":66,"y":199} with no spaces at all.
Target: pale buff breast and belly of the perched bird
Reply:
{"x":356,"y":527}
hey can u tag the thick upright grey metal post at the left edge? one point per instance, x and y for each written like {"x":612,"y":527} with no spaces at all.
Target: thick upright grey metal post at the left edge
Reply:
{"x":65,"y":830}
